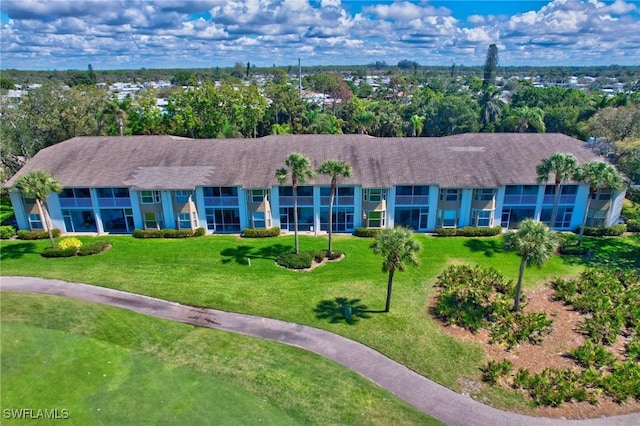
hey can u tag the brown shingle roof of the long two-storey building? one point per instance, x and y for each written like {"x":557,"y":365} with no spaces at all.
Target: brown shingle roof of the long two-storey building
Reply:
{"x":472,"y":160}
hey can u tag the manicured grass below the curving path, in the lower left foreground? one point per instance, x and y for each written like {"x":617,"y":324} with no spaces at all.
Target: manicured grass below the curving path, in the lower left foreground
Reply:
{"x":110,"y":366}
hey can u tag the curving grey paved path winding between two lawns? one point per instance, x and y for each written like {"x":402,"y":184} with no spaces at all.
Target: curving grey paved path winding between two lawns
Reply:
{"x":432,"y":398}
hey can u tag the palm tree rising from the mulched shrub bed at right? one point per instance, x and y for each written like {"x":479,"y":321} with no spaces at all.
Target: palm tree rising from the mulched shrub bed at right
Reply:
{"x":535,"y":242}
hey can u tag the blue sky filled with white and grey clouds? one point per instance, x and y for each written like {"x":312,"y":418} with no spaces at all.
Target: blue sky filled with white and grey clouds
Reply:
{"x":132,"y":34}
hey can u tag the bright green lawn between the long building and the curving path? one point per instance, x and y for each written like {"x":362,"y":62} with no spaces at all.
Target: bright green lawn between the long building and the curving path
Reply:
{"x":214,"y":272}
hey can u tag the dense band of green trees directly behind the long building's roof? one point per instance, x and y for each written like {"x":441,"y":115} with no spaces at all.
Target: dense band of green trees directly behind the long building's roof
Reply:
{"x":407,"y":106}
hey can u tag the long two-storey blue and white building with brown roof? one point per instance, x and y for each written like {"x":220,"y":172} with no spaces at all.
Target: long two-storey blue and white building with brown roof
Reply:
{"x":117,"y":184}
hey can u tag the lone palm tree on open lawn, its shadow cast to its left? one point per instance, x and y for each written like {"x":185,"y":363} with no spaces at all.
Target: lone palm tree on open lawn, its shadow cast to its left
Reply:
{"x":398,"y":248}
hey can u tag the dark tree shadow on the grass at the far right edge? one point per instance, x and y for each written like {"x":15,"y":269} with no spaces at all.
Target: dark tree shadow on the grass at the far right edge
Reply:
{"x":609,"y":253}
